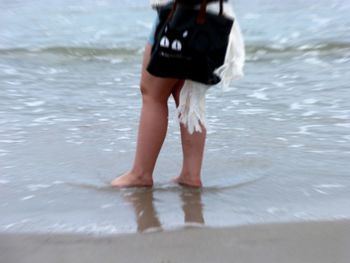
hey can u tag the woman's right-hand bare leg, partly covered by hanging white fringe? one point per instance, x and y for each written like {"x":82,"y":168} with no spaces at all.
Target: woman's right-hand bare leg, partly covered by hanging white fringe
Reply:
{"x":192,"y":148}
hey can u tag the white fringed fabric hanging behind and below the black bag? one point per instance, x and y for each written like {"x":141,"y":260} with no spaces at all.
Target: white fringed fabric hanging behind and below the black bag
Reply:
{"x":191,"y":109}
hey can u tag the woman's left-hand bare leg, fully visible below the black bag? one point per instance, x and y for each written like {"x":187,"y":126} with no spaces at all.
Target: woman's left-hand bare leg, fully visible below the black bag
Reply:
{"x":152,"y":128}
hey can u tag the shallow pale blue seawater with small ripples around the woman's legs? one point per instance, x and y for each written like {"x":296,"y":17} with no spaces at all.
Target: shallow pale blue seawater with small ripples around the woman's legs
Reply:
{"x":278,"y":143}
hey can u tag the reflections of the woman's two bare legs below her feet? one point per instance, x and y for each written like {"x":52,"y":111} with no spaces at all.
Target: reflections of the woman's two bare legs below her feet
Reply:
{"x":147,"y":218}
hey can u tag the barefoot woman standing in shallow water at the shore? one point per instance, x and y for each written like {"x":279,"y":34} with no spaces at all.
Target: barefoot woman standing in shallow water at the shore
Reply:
{"x":153,"y":124}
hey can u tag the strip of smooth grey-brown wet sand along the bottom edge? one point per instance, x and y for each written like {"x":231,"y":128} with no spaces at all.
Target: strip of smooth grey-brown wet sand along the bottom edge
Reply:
{"x":308,"y":242}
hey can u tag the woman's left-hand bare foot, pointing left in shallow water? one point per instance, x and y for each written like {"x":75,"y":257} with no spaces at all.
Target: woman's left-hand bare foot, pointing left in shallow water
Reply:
{"x":132,"y":180}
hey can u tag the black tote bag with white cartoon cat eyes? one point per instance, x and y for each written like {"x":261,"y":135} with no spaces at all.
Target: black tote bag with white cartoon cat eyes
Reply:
{"x":189,"y":43}
